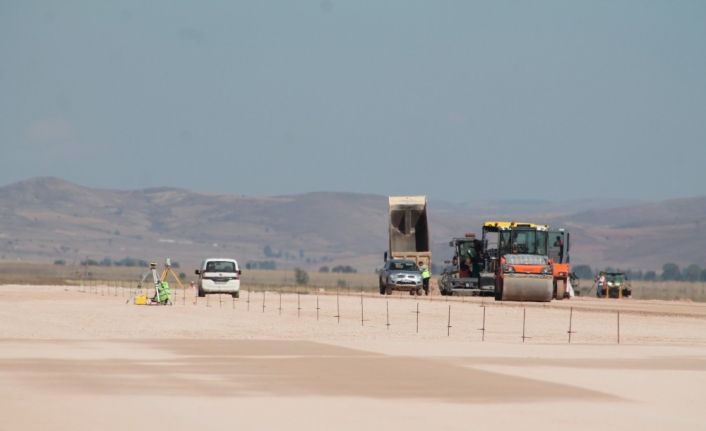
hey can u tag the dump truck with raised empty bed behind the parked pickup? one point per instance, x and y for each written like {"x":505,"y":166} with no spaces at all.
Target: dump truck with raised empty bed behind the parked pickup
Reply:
{"x":409,"y":229}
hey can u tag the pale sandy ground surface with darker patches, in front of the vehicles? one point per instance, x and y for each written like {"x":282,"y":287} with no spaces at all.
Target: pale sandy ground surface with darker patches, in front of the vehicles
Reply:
{"x":72,"y":359}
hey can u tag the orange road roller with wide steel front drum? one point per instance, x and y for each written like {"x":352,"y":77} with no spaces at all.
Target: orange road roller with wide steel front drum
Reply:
{"x":516,"y":259}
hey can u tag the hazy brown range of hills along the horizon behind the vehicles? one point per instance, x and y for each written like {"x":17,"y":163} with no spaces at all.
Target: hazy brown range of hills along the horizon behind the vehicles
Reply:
{"x":49,"y":218}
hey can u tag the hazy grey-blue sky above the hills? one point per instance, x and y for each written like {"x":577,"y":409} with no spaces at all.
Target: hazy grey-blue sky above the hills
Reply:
{"x":459,"y":100}
